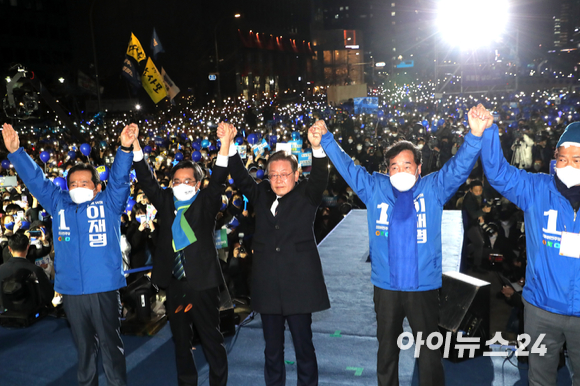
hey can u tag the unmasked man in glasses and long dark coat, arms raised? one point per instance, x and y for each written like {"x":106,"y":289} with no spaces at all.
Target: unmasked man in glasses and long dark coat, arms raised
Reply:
{"x":287,"y":280}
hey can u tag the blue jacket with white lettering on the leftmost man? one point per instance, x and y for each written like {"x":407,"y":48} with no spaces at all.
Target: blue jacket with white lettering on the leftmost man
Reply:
{"x":86,"y":236}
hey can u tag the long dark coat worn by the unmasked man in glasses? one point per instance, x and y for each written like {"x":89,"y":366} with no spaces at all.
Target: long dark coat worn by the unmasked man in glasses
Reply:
{"x":287,"y":274}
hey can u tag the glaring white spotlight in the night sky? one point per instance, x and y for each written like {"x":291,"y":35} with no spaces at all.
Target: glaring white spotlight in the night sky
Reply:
{"x":470,"y":24}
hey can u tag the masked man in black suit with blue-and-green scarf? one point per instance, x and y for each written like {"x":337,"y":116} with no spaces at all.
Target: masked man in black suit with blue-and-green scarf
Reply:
{"x":185,"y":261}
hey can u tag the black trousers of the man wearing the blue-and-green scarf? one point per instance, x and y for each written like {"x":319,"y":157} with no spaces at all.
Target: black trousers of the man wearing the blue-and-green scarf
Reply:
{"x":192,"y":311}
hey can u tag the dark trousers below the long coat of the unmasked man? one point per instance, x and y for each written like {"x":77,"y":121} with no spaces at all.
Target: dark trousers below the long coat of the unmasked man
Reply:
{"x":301,"y":328}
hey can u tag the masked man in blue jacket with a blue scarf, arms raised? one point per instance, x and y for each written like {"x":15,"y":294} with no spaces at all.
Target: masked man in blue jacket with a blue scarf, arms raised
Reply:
{"x":404,"y":218}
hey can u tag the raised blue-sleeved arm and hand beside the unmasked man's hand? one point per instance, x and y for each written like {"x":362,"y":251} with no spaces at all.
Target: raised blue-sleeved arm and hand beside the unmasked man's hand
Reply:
{"x":355,"y":176}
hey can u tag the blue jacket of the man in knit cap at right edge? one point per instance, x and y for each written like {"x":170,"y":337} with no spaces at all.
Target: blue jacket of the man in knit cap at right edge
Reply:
{"x":552,"y":281}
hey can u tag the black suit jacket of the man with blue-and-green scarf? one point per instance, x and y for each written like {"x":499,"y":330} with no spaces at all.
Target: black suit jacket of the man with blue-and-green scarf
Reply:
{"x":202,"y":267}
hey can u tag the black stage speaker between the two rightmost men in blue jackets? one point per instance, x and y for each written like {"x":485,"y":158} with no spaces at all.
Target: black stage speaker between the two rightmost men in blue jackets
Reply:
{"x":464,"y":308}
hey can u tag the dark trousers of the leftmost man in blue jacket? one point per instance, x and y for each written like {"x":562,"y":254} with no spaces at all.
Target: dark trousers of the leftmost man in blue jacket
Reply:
{"x":95,"y":323}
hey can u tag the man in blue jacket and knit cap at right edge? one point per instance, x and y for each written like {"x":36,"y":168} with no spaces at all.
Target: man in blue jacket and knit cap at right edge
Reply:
{"x":550,"y":204}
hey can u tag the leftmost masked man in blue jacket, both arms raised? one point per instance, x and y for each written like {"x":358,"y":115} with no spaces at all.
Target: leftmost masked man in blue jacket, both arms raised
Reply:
{"x":88,"y":262}
